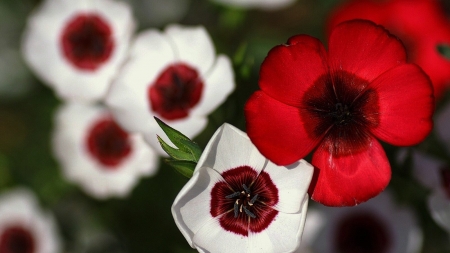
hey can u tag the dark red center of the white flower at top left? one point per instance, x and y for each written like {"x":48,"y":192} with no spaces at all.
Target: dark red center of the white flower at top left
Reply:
{"x":87,"y":41}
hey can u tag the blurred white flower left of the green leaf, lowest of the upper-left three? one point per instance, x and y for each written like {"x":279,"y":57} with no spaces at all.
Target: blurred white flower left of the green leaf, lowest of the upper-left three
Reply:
{"x":97,"y":154}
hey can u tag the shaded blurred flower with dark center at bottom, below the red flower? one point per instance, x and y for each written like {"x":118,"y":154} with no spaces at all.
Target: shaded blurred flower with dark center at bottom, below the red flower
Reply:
{"x":376,"y":226}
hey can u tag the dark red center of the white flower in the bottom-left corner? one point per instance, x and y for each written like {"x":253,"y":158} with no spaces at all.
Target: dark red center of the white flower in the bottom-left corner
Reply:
{"x":16,"y":239}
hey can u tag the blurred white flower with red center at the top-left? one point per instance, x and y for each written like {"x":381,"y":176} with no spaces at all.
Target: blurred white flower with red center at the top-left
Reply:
{"x":76,"y":47}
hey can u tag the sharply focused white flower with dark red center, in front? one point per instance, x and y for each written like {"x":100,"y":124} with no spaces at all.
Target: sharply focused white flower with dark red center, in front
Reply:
{"x":238,"y":201}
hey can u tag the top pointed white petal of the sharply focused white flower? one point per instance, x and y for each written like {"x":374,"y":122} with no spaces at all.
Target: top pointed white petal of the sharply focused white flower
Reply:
{"x":230,"y":148}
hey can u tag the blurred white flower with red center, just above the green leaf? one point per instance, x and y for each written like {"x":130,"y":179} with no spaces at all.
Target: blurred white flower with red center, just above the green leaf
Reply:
{"x":173,"y":75}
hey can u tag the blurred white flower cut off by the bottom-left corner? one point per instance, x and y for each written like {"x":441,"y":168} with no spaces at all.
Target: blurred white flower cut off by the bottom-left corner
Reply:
{"x":24,"y":227}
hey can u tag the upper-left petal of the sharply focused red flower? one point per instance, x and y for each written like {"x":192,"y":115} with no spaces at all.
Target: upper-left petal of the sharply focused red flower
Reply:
{"x":289,"y":70}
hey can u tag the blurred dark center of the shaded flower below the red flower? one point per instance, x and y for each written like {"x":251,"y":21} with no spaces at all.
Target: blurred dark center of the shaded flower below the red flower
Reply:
{"x":362,"y":233}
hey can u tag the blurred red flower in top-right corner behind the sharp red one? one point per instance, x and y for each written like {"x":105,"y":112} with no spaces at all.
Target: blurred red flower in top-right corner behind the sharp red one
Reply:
{"x":420,"y":24}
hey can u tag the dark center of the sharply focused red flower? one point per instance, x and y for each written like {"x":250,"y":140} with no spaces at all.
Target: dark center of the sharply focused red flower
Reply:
{"x":341,"y":108}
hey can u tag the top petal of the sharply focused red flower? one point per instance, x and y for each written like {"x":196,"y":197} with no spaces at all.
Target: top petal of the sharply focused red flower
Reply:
{"x":364,"y":49}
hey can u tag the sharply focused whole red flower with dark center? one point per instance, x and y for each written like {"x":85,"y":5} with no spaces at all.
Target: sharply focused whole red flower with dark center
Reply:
{"x":338,"y":103}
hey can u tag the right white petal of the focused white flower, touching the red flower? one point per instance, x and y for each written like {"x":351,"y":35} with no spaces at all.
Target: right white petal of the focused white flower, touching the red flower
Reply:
{"x":292,"y":183}
